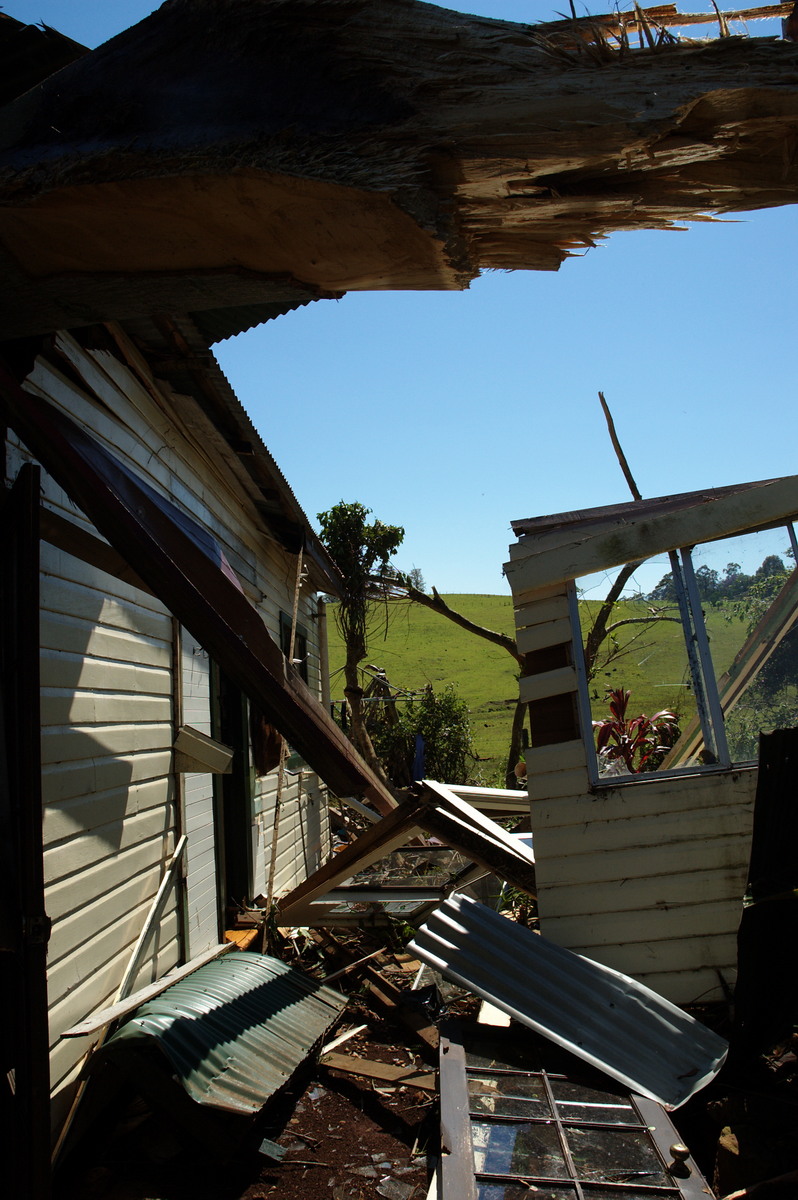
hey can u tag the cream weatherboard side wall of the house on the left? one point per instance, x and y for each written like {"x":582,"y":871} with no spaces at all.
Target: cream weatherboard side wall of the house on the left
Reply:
{"x":111,"y":812}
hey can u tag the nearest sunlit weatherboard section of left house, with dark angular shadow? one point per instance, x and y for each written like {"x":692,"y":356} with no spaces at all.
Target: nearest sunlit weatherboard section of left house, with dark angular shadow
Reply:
{"x":110,"y":819}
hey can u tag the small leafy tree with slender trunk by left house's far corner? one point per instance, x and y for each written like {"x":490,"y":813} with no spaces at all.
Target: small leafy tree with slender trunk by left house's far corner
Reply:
{"x":362,"y":553}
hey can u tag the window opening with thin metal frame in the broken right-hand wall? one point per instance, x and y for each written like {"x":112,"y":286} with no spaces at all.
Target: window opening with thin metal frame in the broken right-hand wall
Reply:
{"x":733,"y":676}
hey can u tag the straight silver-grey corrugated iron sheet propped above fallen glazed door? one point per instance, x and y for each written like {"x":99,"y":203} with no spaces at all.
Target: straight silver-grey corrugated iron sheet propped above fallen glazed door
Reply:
{"x":605,"y":1018}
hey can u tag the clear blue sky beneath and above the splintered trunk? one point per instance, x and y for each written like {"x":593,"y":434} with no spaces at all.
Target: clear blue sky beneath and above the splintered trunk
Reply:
{"x":455,"y":413}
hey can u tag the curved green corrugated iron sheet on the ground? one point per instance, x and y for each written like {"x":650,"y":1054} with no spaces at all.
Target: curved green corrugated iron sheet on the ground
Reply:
{"x":236,"y":1030}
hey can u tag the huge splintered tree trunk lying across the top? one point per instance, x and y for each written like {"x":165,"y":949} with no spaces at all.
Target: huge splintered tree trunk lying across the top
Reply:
{"x":369,"y":145}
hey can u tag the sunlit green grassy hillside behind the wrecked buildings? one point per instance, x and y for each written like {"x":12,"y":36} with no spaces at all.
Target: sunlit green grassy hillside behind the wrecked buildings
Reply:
{"x":416,"y":646}
